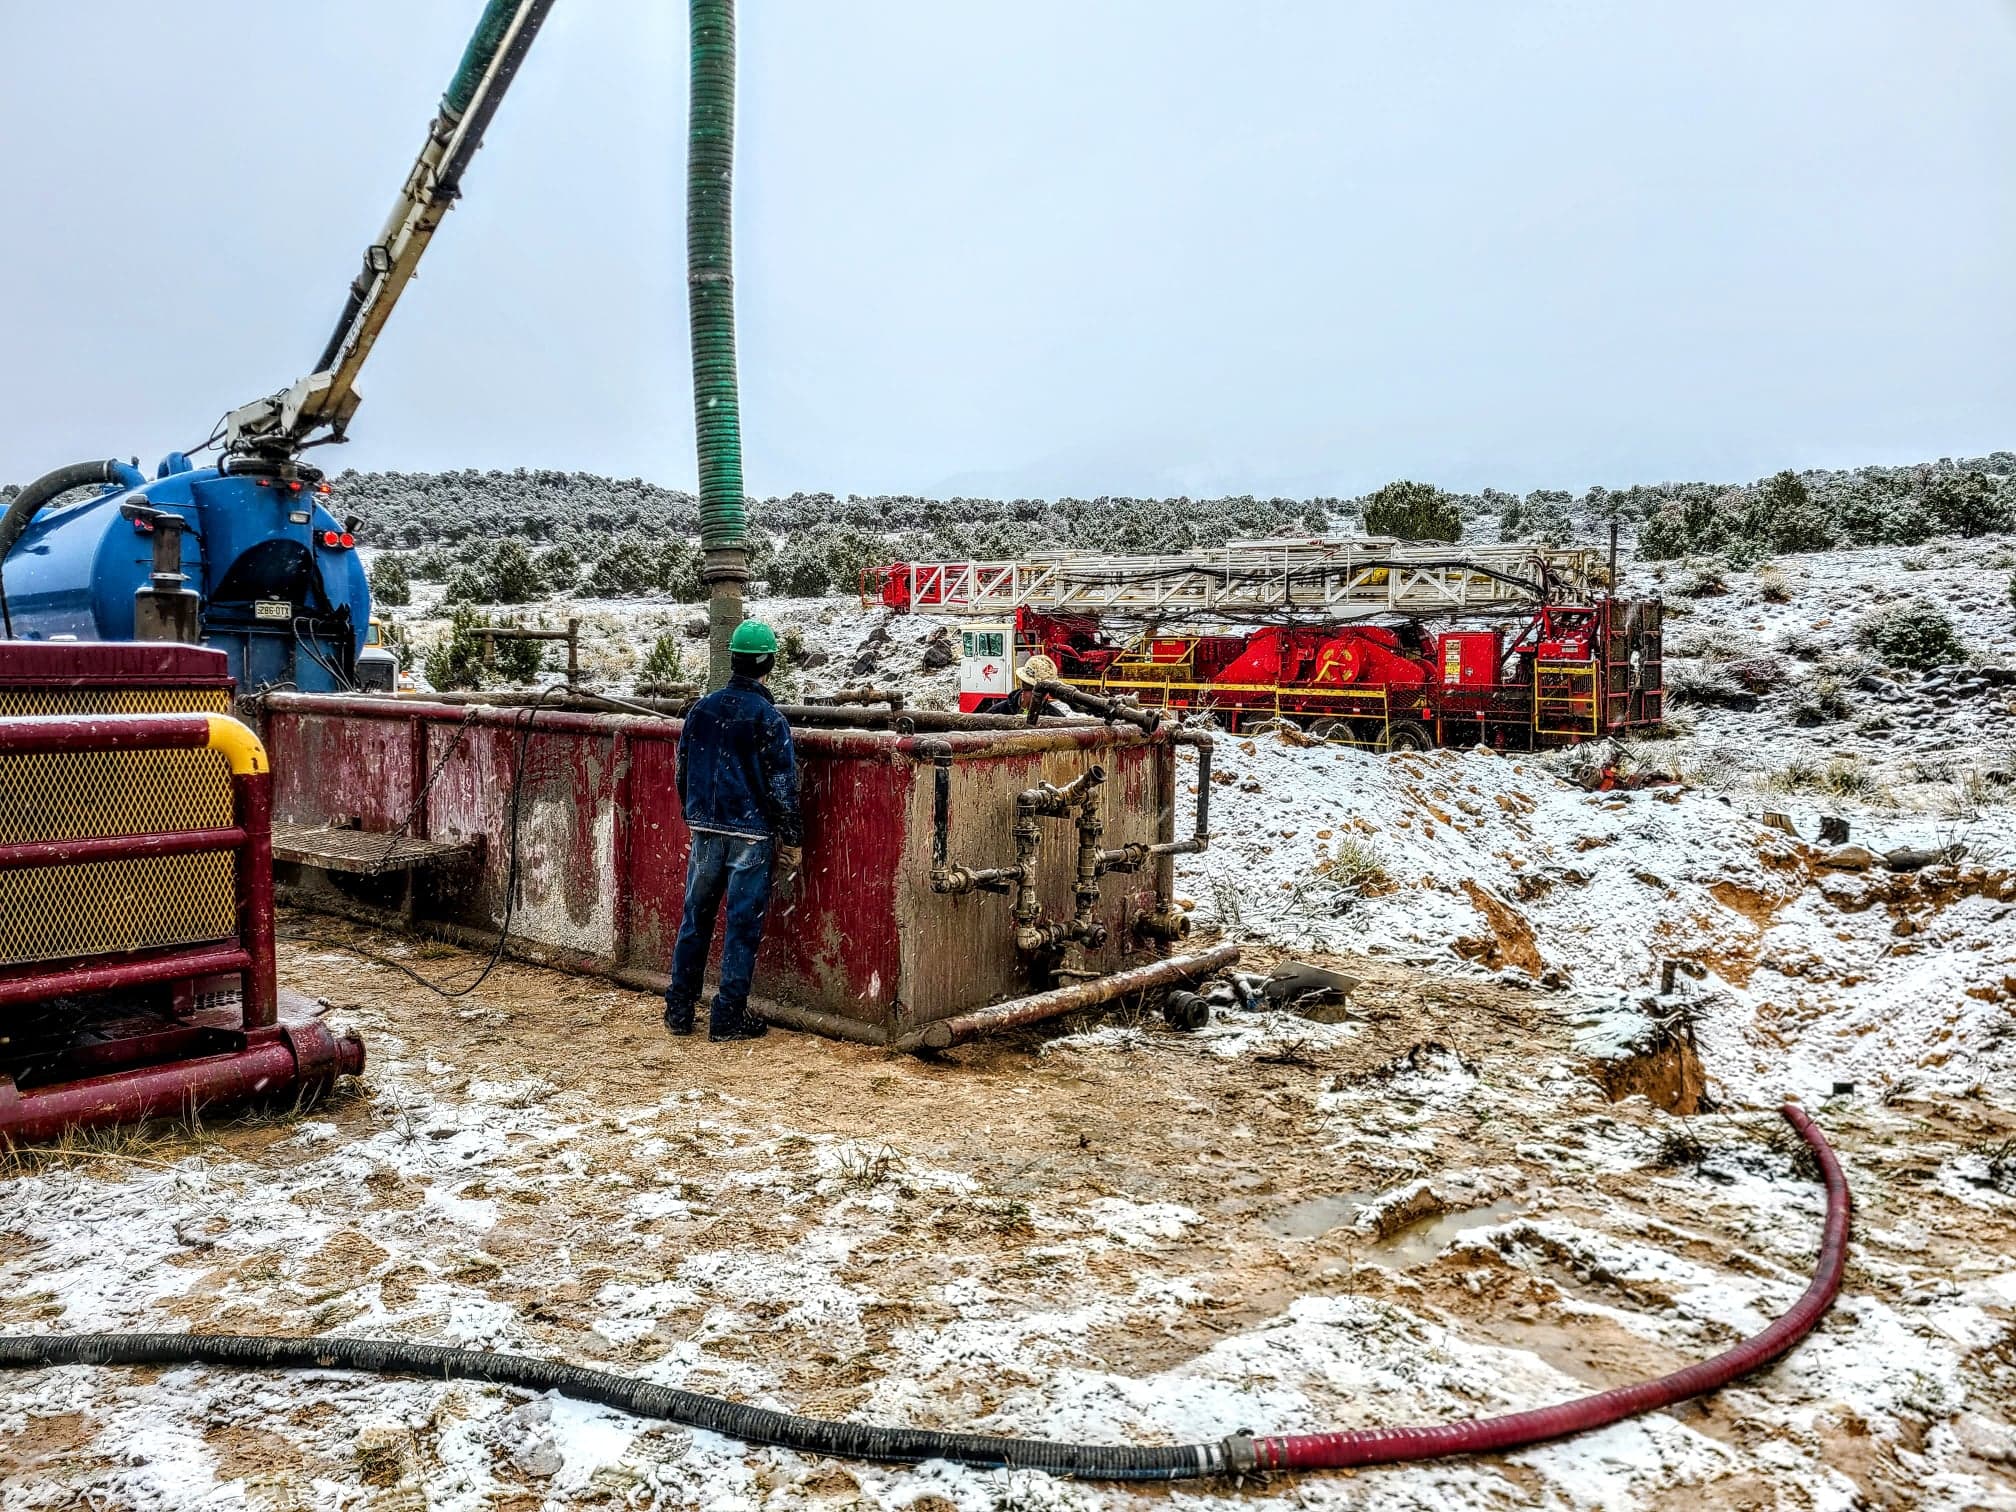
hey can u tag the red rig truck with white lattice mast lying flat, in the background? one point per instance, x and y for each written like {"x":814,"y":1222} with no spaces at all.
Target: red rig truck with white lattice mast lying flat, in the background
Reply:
{"x":1376,"y":642}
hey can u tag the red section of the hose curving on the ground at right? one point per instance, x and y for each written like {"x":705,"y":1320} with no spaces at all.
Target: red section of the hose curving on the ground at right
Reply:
{"x":1378,"y":1446}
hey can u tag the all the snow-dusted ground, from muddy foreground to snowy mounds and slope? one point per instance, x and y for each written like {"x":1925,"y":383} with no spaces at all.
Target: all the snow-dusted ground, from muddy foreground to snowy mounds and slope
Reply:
{"x":1422,"y":1213}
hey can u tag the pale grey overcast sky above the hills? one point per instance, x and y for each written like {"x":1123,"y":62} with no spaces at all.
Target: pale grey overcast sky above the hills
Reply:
{"x":1037,"y":247}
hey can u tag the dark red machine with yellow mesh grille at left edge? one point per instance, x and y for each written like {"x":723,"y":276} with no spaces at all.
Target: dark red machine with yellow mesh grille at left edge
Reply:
{"x":136,"y":896}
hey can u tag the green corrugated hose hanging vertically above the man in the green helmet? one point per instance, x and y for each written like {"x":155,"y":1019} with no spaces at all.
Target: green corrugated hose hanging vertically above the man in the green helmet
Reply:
{"x":713,"y":301}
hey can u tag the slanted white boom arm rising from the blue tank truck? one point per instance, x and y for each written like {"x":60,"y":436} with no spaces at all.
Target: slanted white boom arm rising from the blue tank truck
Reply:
{"x":285,"y":422}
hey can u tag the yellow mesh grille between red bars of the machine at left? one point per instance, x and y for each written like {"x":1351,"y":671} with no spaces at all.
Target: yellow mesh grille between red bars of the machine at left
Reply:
{"x":114,"y":906}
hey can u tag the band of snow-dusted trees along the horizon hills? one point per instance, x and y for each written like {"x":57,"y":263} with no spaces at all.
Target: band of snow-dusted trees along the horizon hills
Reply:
{"x":513,"y":537}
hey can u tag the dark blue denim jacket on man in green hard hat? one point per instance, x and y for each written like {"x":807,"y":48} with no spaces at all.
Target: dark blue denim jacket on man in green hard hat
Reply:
{"x":739,"y":773}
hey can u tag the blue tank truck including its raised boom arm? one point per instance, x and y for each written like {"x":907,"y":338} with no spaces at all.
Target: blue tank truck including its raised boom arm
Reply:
{"x":251,"y":555}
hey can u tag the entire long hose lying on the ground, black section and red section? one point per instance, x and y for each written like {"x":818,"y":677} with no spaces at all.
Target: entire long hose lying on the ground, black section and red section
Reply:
{"x":1237,"y":1455}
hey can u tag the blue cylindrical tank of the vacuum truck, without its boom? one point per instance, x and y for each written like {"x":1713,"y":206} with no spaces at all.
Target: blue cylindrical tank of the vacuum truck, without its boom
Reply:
{"x":269,"y":572}
